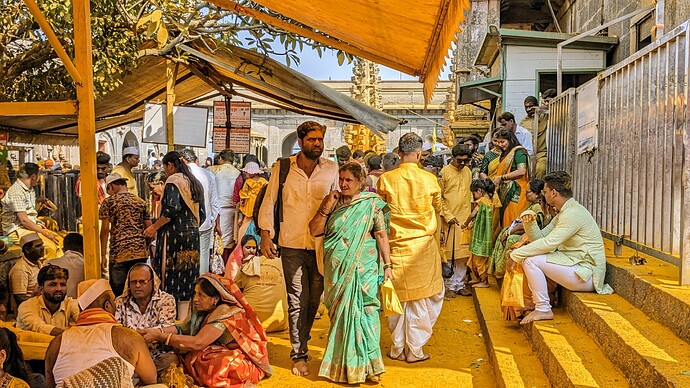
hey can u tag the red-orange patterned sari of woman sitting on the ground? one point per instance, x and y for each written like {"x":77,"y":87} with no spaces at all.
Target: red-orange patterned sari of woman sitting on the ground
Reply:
{"x":240,"y":356}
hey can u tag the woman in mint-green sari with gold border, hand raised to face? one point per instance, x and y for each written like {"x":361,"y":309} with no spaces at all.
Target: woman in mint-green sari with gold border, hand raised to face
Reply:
{"x":353,"y":223}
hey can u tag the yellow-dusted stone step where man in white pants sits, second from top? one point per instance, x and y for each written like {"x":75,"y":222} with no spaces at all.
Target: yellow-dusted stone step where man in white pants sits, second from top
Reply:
{"x":648,"y":353}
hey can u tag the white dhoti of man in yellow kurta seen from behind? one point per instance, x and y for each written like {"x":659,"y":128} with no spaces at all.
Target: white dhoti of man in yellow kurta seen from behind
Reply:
{"x":415,"y":326}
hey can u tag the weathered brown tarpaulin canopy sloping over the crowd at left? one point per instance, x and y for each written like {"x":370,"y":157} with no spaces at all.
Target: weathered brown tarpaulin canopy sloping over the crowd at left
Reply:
{"x":204,"y":73}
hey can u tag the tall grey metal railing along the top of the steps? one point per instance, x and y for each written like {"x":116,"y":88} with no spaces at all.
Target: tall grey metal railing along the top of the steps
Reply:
{"x":636,"y":183}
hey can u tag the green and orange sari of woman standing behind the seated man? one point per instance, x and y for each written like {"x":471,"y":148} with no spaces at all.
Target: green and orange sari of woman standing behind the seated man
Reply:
{"x":512,"y":193}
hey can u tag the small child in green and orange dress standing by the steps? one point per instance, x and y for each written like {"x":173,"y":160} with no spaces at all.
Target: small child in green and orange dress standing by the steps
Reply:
{"x":481,"y":243}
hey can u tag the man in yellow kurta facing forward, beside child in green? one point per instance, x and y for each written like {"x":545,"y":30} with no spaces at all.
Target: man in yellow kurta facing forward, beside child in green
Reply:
{"x":457,"y":205}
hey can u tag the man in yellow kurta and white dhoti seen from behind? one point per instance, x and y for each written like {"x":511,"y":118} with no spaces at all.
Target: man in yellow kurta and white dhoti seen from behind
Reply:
{"x":414,"y":197}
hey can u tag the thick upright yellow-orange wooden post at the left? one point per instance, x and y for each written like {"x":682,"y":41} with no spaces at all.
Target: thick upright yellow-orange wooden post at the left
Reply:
{"x":86,"y":120}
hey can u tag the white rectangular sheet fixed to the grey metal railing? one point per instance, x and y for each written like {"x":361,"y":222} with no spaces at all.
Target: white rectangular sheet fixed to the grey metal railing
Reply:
{"x":588,"y":117}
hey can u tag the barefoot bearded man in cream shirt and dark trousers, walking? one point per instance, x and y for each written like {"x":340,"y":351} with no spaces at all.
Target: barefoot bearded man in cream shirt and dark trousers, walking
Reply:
{"x":309,"y":180}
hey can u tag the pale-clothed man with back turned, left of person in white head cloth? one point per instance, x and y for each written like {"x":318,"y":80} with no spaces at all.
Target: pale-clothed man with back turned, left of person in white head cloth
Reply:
{"x":226,"y":174}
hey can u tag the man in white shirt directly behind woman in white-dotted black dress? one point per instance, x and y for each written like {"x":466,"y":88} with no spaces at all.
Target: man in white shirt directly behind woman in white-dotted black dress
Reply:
{"x":211,"y":204}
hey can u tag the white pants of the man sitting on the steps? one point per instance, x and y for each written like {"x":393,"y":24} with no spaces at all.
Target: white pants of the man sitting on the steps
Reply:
{"x":537,"y":270}
